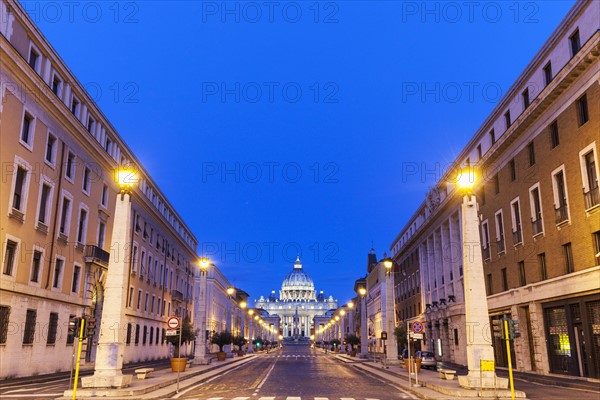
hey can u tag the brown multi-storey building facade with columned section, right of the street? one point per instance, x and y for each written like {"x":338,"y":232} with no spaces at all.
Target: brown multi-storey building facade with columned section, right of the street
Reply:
{"x":539,"y":203}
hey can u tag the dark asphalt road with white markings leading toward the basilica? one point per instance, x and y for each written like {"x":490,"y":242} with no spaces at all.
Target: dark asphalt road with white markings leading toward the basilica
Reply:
{"x":296,"y":372}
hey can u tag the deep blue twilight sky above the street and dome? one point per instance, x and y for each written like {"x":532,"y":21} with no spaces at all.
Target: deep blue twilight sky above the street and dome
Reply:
{"x":296,"y":127}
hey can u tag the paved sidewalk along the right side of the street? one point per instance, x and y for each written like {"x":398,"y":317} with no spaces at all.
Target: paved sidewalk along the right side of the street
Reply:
{"x":432,"y":385}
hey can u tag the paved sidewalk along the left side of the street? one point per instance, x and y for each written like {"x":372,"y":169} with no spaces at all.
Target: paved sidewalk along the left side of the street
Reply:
{"x":162,"y":383}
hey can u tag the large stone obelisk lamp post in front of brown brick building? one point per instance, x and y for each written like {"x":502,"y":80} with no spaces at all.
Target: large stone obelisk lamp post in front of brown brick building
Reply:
{"x":476,"y":309}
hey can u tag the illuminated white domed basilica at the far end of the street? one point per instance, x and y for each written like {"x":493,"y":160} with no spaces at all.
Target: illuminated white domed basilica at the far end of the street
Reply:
{"x":297,"y":305}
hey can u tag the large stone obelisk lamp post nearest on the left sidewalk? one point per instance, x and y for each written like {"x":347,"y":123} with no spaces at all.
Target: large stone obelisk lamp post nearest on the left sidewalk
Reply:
{"x":111,"y":342}
